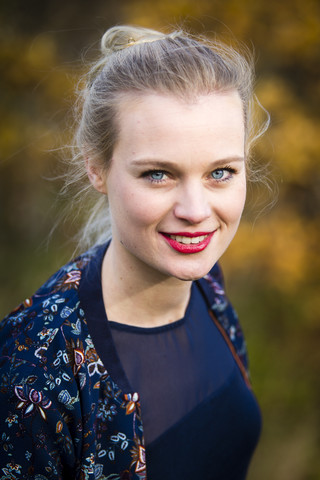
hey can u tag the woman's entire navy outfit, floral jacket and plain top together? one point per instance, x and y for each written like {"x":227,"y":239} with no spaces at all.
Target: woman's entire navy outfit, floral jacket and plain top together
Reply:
{"x":82,"y":397}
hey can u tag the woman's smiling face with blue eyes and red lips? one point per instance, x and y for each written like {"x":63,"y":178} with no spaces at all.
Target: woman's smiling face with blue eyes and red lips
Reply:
{"x":176,"y":185}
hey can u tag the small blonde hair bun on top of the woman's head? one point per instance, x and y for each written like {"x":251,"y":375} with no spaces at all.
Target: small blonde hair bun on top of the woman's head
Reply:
{"x":123,"y":36}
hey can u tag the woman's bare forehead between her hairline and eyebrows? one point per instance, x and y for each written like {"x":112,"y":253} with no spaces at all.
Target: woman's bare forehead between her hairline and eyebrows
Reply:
{"x":162,"y":122}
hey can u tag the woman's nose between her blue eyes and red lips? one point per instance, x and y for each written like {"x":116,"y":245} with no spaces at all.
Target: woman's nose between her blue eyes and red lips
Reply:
{"x":192,"y":204}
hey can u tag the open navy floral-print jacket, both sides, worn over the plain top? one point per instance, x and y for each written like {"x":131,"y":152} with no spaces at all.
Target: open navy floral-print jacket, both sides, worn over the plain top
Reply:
{"x":62,"y":414}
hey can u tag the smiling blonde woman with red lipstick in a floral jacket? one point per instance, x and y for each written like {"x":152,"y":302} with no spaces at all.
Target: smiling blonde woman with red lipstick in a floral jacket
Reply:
{"x":129,"y":362}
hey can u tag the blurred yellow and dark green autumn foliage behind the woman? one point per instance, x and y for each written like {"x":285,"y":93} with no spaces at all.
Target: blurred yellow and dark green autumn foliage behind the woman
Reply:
{"x":272,"y":267}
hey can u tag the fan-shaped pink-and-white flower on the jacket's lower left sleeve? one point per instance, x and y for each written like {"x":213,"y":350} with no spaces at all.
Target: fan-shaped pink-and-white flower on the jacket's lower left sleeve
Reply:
{"x":31,"y":400}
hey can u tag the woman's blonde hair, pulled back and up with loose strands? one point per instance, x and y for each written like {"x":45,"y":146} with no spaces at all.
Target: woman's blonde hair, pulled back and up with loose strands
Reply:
{"x":138,"y":61}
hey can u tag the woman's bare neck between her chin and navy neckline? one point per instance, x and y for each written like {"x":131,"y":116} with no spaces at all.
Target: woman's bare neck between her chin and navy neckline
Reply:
{"x":156,"y":299}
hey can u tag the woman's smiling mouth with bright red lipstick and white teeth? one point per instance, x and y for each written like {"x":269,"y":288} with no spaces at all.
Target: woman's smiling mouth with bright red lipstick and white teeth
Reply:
{"x":185,"y":242}
